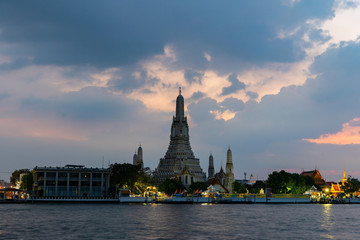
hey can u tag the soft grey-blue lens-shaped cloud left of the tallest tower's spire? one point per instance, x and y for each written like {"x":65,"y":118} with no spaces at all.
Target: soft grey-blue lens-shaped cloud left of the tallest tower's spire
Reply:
{"x":87,"y":105}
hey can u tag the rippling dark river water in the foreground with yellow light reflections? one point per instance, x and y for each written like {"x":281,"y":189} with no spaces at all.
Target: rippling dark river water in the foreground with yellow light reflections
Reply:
{"x":115,"y":221}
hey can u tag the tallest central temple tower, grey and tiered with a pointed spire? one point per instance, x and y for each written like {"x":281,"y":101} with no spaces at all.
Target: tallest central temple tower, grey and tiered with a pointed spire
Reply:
{"x":179,"y":160}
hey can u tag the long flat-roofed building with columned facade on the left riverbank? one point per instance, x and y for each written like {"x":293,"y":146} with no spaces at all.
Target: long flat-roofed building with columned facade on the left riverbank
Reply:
{"x":71,"y":181}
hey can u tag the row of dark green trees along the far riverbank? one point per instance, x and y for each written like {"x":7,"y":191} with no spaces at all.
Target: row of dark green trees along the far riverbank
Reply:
{"x":137,"y":180}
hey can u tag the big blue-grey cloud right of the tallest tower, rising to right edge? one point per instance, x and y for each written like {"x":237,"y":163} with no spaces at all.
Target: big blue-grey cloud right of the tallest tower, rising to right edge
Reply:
{"x":321,"y":106}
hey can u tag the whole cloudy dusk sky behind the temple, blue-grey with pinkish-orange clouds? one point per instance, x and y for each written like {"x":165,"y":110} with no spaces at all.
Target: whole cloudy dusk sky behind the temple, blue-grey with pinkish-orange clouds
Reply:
{"x":277,"y":81}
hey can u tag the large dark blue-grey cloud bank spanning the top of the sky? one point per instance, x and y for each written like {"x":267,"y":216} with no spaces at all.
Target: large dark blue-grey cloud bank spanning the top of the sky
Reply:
{"x":115,"y":33}
